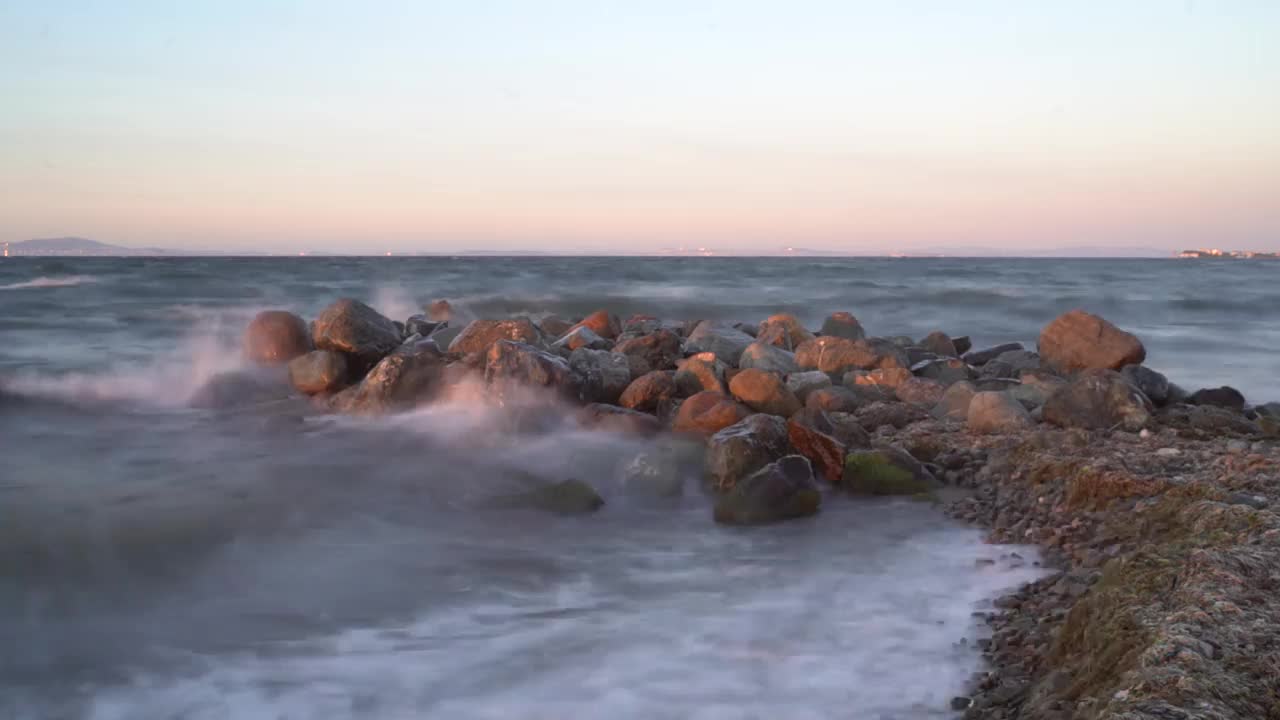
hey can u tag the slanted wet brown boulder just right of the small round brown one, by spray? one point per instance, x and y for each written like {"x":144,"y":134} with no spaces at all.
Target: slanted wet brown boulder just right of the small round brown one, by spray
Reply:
{"x":404,"y":380}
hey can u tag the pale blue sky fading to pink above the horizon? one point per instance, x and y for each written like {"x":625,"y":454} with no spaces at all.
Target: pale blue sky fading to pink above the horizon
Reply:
{"x":633,"y":127}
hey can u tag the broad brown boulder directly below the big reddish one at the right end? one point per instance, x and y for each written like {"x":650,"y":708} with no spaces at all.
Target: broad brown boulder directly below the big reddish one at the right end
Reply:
{"x":1098,"y":400}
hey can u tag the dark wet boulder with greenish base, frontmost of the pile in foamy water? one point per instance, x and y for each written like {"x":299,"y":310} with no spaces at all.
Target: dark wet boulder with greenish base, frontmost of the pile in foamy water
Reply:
{"x":781,"y":491}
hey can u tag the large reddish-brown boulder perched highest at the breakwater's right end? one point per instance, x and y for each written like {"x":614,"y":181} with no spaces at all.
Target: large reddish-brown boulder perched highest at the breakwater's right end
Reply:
{"x":1081,"y":341}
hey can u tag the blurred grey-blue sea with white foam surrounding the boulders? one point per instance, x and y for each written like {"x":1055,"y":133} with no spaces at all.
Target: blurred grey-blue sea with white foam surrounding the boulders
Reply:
{"x":161,"y":562}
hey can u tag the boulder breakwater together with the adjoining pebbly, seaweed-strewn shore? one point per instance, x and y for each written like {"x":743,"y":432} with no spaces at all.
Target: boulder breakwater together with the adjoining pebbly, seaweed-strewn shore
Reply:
{"x":1154,"y":505}
